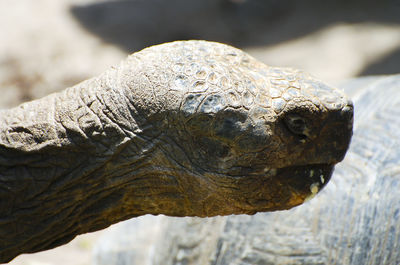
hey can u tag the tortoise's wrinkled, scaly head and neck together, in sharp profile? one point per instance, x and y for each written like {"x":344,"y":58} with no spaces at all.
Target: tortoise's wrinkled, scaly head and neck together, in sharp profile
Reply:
{"x":190,"y":128}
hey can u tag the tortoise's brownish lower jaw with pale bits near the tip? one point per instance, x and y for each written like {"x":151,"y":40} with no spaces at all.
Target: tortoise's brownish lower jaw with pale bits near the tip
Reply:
{"x":276,"y":189}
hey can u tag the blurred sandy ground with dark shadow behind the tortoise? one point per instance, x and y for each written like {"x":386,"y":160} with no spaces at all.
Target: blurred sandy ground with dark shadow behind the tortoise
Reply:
{"x":47,"y":45}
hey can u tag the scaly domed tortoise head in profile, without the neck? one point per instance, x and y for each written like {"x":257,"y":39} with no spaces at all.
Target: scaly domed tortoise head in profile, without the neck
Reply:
{"x":253,"y":137}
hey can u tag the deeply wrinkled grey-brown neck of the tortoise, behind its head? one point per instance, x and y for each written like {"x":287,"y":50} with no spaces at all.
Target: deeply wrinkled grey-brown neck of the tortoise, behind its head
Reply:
{"x":70,"y":163}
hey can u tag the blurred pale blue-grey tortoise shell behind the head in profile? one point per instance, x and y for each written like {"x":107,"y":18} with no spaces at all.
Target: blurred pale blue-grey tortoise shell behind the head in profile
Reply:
{"x":354,"y":220}
